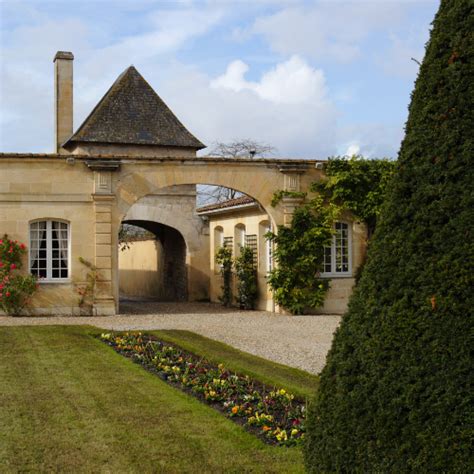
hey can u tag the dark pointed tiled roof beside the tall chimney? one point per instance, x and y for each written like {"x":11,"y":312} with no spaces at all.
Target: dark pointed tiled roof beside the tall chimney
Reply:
{"x":132,"y":113}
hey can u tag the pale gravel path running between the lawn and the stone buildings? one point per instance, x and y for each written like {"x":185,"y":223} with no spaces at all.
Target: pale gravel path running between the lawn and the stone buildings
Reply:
{"x":297,"y":341}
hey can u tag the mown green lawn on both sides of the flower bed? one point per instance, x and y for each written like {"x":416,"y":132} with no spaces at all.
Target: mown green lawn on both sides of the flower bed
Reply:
{"x":69,"y":403}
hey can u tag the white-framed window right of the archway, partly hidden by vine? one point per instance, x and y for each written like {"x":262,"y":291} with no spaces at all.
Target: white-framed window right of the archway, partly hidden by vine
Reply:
{"x":338,"y":255}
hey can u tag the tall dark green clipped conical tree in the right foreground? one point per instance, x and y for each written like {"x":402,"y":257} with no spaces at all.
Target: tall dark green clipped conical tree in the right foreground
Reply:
{"x":394,"y":395}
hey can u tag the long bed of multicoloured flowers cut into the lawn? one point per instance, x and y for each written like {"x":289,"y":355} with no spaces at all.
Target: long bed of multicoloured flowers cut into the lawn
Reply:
{"x":274,"y":415}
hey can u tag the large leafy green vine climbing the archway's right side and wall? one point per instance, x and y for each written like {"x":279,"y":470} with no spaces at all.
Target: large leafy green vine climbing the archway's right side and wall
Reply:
{"x":354,"y":184}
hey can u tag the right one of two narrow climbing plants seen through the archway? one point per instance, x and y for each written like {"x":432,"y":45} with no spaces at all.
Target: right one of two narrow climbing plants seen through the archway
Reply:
{"x":246,"y":272}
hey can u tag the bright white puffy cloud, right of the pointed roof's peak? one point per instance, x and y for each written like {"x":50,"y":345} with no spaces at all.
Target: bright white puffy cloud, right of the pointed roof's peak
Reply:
{"x":289,"y":82}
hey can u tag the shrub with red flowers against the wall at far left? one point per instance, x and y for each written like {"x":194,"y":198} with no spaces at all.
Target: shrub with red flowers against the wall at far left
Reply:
{"x":15,"y":289}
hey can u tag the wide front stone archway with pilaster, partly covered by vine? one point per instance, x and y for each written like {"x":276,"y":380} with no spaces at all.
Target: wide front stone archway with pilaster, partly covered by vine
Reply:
{"x":122,"y":182}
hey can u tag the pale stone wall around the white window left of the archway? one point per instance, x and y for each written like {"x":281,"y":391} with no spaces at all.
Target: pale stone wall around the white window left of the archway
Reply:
{"x":32,"y":189}
